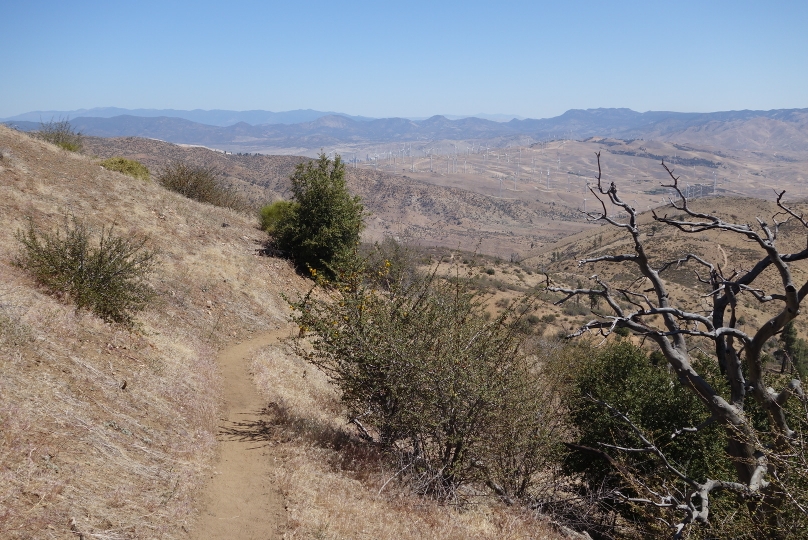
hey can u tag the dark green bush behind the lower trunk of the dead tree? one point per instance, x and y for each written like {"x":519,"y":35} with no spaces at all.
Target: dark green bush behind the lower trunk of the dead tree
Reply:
{"x":623,"y":377}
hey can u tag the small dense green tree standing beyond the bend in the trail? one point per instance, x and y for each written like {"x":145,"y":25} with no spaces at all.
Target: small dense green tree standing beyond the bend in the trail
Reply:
{"x":328,"y":220}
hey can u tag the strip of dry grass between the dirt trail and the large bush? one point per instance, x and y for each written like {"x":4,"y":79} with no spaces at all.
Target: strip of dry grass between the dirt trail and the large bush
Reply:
{"x":337,"y":487}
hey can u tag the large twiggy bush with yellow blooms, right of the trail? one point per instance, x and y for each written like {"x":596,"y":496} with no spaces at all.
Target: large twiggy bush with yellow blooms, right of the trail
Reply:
{"x":431,"y":379}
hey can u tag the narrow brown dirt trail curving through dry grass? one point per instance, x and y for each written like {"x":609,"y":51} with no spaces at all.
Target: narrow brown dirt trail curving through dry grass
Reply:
{"x":240,"y":500}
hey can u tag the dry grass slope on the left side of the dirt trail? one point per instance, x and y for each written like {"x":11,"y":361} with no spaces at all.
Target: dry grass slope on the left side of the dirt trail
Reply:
{"x":80,"y":452}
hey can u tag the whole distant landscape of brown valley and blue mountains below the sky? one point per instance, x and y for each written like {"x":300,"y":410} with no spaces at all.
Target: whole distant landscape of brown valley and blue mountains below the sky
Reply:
{"x":506,"y":188}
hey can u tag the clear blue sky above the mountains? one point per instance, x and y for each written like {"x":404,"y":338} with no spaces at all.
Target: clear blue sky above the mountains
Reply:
{"x":407,"y":58}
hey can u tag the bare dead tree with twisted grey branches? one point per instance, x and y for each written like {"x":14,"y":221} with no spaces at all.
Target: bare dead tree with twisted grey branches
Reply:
{"x":652,"y":315}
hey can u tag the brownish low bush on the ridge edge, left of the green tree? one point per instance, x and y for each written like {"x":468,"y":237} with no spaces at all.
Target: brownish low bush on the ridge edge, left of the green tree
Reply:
{"x":201,"y":184}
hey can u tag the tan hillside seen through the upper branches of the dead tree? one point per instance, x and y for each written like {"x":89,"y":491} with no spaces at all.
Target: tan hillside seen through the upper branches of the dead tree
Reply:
{"x":663,"y":243}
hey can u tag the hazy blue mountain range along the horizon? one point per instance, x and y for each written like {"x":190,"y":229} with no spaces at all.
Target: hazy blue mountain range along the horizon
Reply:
{"x":784,"y":129}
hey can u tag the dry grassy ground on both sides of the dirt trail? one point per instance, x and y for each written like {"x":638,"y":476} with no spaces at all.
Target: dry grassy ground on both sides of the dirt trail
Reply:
{"x":80,"y":454}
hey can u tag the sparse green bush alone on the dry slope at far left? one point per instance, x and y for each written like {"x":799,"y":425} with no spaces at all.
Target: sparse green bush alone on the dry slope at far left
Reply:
{"x":109,"y":280}
